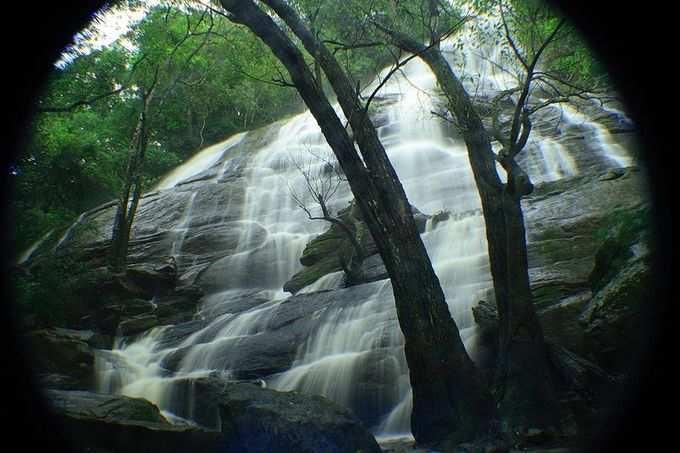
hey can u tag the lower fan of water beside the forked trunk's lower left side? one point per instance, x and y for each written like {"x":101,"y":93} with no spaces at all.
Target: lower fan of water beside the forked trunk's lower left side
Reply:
{"x":351,"y":340}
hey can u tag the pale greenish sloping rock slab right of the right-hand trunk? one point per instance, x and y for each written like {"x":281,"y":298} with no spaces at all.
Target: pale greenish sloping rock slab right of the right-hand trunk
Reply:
{"x":567,"y":222}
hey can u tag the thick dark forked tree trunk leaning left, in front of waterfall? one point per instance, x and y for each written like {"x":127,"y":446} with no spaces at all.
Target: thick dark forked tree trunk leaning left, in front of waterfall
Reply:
{"x":449,"y":396}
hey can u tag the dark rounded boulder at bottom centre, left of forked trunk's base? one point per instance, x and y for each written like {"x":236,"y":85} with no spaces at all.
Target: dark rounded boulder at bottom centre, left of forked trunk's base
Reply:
{"x":255,"y":419}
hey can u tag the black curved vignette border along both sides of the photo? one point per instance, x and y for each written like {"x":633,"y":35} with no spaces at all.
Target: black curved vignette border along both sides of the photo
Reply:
{"x":633,"y":40}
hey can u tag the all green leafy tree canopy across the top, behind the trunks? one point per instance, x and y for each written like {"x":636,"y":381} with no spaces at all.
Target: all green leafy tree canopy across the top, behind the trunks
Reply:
{"x":219,"y":81}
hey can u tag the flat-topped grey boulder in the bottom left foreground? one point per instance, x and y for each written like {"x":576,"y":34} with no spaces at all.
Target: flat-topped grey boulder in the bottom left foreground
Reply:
{"x":112,"y":423}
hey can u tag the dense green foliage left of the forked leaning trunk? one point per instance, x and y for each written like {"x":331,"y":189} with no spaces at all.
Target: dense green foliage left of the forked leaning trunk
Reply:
{"x":213,"y":80}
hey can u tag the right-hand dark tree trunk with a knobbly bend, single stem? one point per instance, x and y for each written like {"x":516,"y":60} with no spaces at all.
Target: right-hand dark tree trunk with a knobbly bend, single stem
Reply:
{"x":523,"y":383}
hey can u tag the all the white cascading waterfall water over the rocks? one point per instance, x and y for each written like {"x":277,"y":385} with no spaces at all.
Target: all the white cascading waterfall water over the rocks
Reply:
{"x":353,"y":353}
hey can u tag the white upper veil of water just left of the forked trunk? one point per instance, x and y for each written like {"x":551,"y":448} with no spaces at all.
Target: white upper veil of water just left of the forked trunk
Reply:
{"x":274,"y":229}
